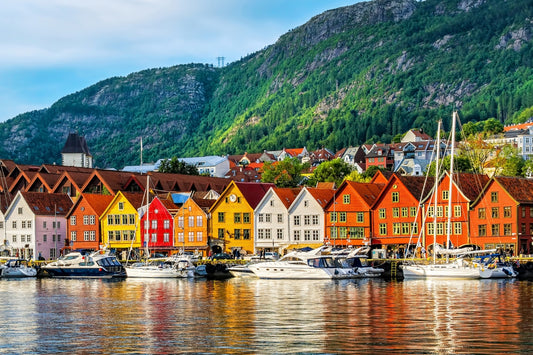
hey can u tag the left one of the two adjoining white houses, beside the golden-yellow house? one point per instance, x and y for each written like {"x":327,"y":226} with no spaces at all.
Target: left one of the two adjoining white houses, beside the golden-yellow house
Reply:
{"x":271,"y":217}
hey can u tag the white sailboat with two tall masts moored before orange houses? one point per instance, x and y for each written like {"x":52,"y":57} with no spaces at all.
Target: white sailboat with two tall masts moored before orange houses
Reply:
{"x":458,"y":267}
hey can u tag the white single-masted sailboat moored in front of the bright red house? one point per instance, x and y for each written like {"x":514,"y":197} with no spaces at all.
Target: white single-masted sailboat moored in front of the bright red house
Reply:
{"x":167,"y":268}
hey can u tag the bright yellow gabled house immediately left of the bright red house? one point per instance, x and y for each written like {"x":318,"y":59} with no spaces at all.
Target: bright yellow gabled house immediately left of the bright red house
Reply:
{"x":120,"y":222}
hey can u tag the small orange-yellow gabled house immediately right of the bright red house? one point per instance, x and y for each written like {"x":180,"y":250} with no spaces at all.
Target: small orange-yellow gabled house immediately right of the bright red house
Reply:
{"x":192,"y":225}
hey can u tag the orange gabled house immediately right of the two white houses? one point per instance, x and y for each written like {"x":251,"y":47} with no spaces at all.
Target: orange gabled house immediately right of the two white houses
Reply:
{"x":348,"y":215}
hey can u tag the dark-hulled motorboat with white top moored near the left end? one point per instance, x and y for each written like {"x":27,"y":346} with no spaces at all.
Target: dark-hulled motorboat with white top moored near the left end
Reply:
{"x":98,"y":264}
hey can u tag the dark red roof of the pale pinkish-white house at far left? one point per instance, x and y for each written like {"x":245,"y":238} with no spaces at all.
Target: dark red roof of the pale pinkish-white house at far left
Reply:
{"x":46,"y":204}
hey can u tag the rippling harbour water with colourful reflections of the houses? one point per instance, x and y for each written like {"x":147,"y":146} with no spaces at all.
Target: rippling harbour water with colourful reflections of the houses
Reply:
{"x":251,"y":316}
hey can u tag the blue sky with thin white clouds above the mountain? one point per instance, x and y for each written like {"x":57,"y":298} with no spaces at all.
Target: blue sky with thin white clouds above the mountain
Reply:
{"x":52,"y":48}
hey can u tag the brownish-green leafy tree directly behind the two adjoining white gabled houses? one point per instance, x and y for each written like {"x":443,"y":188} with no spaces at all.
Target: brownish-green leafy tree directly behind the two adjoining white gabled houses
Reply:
{"x":285,"y":173}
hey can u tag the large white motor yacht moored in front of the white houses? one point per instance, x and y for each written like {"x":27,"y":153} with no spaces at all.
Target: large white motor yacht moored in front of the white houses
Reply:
{"x":302,"y":265}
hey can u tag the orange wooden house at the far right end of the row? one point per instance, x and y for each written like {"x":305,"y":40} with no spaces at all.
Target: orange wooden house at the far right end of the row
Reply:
{"x":502,"y":215}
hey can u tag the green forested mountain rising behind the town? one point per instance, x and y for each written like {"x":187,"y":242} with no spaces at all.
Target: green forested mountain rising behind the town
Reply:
{"x":361,"y":73}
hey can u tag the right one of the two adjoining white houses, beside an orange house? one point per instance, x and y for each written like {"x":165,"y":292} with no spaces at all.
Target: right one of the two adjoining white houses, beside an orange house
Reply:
{"x":307,"y":216}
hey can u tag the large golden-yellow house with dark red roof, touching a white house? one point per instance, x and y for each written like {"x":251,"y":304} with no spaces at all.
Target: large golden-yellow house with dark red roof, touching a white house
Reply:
{"x":232,"y":216}
